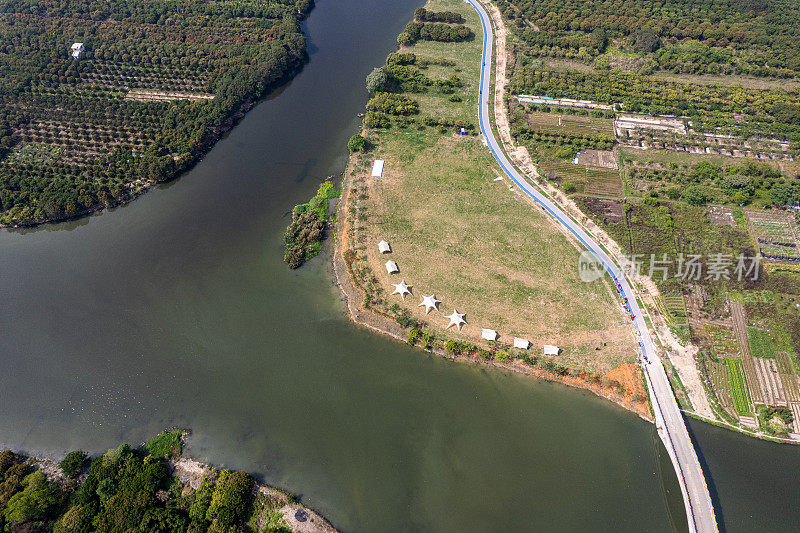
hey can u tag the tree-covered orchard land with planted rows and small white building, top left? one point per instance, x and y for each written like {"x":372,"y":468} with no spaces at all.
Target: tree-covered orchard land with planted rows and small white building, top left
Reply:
{"x":155,"y":85}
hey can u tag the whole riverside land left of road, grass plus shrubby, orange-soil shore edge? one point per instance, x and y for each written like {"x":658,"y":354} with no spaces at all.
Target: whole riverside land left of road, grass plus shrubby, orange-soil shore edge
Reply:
{"x":439,"y":203}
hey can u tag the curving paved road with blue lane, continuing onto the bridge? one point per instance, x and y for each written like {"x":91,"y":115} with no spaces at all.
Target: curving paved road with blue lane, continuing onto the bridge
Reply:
{"x":669,"y":421}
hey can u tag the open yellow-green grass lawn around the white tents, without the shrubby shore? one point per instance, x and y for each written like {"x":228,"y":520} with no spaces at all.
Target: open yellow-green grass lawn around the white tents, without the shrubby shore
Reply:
{"x":455,"y":232}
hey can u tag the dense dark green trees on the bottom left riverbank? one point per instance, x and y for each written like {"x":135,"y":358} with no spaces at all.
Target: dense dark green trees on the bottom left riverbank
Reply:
{"x":130,"y":489}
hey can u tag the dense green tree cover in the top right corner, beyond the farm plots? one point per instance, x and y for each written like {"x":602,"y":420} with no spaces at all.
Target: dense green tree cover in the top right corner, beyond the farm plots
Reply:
{"x":752,"y":37}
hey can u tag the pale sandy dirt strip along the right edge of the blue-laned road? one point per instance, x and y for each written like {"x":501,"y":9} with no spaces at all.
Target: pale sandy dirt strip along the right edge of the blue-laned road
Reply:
{"x":682,"y":357}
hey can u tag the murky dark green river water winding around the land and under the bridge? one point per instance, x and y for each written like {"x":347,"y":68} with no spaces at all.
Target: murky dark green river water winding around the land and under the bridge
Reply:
{"x":177,"y":310}
